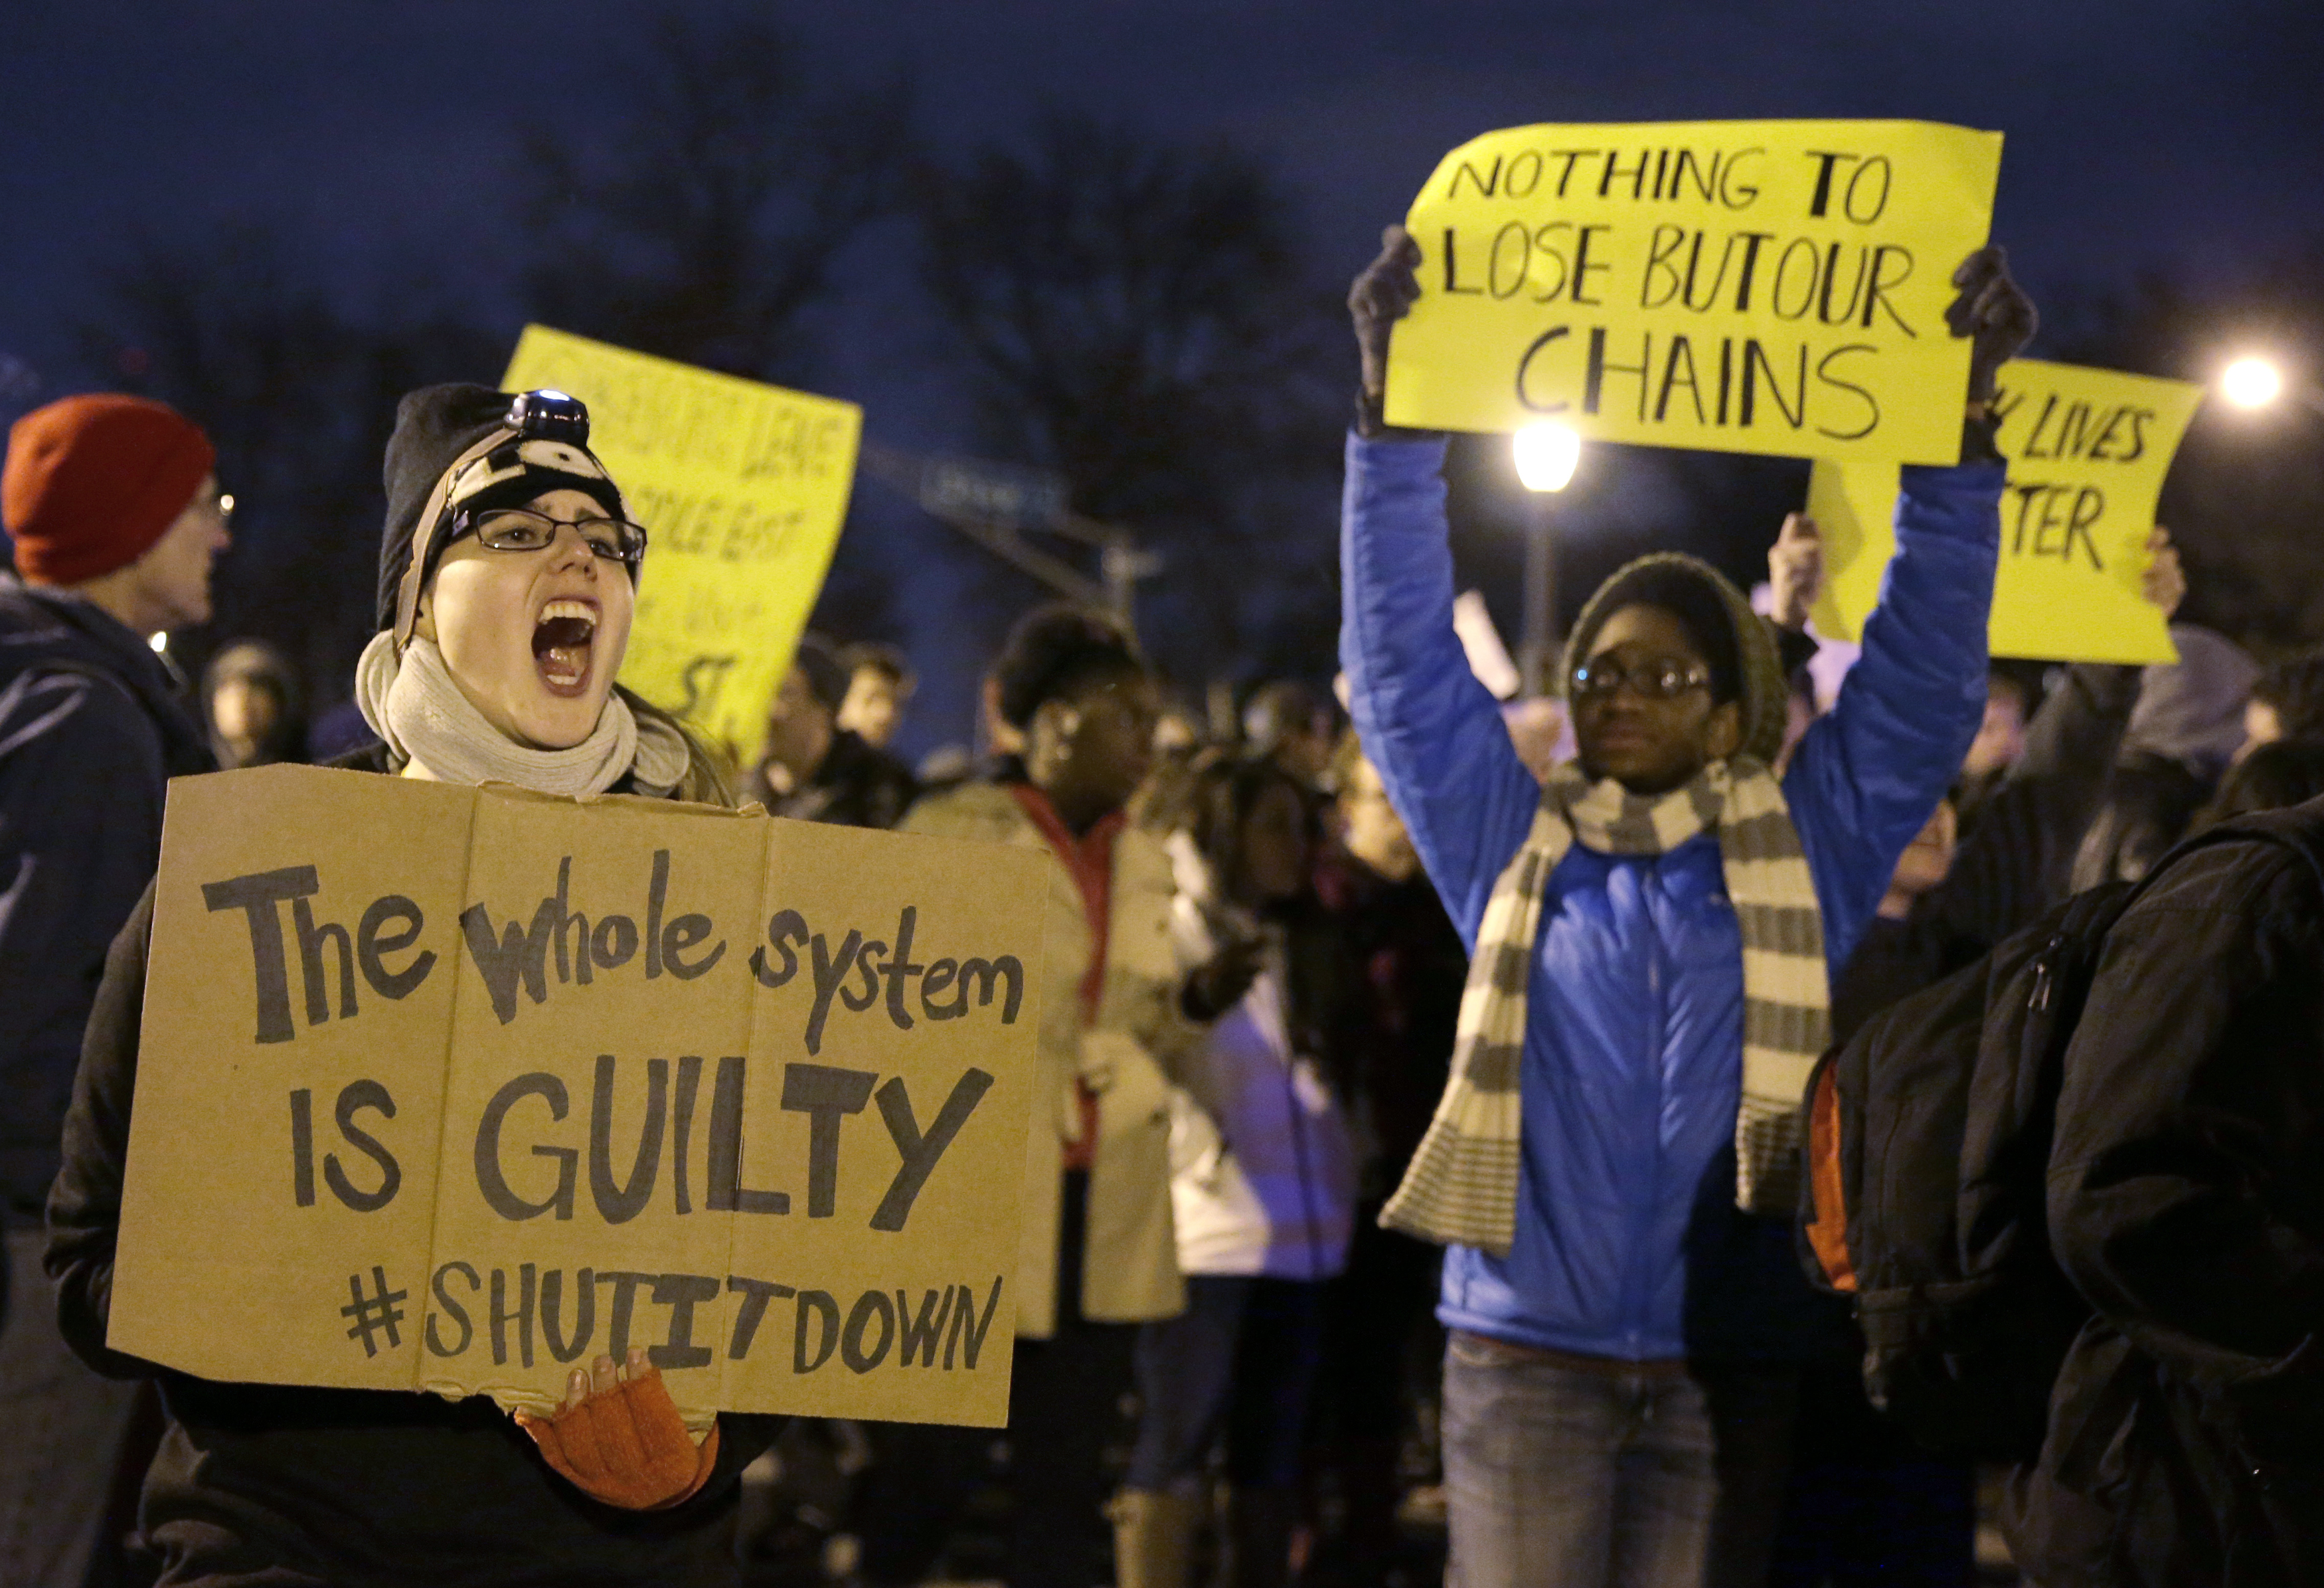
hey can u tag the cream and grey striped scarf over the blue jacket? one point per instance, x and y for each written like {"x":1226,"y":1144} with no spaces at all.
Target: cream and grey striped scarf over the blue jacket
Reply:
{"x":1463,"y":1185}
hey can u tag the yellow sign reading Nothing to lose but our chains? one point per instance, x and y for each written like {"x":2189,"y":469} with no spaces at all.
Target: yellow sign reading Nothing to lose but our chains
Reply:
{"x":1770,"y":287}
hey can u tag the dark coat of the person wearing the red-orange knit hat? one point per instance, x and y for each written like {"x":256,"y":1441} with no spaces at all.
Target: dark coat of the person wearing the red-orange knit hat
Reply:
{"x":89,"y":734}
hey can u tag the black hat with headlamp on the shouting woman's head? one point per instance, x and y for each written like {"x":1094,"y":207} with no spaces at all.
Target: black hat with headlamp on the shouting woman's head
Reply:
{"x":436,"y":427}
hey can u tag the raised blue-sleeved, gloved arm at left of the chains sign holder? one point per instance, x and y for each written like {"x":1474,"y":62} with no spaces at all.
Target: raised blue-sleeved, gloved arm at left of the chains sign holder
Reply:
{"x":1430,"y":729}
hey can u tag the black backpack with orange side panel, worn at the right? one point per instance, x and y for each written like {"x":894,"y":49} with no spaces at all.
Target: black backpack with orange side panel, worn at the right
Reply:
{"x":1928,"y":1173}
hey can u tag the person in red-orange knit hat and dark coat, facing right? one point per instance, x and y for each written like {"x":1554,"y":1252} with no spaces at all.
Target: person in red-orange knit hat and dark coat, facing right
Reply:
{"x":117,"y":520}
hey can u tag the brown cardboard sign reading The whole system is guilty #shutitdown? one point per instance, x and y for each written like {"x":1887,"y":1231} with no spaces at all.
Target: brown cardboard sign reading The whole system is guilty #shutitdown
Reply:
{"x":454,"y":1089}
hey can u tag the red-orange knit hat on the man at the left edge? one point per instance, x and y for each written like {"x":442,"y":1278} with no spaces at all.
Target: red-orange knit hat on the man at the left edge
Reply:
{"x":92,"y":482}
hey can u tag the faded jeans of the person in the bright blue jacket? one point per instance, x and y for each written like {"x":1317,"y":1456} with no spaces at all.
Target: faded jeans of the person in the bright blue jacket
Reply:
{"x":1575,"y":1478}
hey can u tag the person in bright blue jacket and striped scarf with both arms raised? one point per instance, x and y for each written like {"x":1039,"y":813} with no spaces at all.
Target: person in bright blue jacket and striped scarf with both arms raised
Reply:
{"x":1654,"y":938}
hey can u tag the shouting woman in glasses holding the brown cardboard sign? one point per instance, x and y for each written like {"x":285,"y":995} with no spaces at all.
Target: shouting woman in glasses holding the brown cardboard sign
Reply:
{"x":505,"y":594}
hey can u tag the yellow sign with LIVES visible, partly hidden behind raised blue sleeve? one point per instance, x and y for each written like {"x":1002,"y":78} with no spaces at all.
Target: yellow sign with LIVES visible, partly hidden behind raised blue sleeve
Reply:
{"x":2088,"y":457}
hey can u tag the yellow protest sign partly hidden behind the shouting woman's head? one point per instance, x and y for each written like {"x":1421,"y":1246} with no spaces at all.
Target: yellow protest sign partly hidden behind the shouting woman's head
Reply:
{"x":743,"y":489}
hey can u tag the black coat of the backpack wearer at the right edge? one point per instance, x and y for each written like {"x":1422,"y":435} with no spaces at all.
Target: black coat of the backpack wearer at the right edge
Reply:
{"x":2188,"y":1206}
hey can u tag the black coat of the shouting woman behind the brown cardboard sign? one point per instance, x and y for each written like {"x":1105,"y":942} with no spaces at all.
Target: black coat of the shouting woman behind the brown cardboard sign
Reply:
{"x":268,"y":1487}
